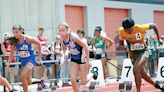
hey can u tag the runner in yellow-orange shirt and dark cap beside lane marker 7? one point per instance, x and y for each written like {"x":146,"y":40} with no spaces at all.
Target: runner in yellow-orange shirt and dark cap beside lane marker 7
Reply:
{"x":134,"y":35}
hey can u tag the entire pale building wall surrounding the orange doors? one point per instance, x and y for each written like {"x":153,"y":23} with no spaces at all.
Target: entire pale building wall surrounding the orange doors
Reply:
{"x":32,"y":13}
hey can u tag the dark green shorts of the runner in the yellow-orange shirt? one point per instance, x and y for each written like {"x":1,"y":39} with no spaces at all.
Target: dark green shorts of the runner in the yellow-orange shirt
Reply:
{"x":137,"y":53}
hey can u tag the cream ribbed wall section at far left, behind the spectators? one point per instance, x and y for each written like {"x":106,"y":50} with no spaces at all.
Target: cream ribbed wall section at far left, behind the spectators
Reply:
{"x":28,"y":13}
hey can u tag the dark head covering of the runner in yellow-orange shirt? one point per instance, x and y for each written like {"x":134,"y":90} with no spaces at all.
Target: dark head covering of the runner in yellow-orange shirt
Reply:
{"x":127,"y":23}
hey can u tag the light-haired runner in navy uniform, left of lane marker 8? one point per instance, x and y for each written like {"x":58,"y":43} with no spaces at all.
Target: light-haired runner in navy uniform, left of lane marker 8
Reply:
{"x":75,"y":46}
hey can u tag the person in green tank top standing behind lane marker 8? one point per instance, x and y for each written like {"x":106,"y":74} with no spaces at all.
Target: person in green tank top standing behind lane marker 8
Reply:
{"x":99,"y":45}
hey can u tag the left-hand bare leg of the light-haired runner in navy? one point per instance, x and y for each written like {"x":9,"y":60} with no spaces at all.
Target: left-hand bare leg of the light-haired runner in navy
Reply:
{"x":74,"y":70}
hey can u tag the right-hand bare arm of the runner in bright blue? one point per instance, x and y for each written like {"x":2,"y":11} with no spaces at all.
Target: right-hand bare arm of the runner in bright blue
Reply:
{"x":32,"y":40}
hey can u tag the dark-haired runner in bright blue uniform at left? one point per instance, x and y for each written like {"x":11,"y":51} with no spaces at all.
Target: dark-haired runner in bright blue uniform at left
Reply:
{"x":22,"y":44}
